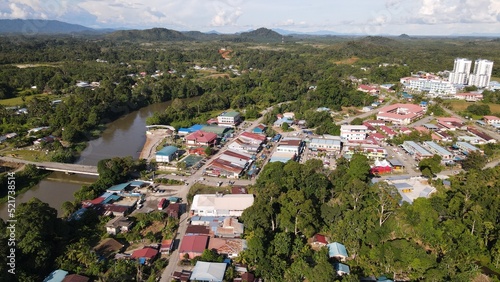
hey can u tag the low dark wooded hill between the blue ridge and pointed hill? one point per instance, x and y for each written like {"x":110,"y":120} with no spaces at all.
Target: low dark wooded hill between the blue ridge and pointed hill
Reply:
{"x":154,"y":34}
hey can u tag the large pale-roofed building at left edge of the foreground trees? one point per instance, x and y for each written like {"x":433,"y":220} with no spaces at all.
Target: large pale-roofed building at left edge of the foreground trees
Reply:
{"x":221,"y":205}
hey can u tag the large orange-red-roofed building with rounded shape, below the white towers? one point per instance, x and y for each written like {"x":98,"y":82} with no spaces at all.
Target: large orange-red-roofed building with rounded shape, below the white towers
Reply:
{"x":401,"y":114}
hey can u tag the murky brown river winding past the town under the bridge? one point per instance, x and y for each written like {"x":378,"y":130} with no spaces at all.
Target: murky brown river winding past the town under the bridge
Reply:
{"x":122,"y":137}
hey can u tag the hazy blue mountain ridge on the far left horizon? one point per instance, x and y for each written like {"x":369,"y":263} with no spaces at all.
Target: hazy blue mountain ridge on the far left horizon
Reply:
{"x":34,"y":27}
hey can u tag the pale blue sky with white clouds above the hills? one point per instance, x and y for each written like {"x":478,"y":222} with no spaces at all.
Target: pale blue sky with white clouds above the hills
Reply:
{"x":371,"y":17}
